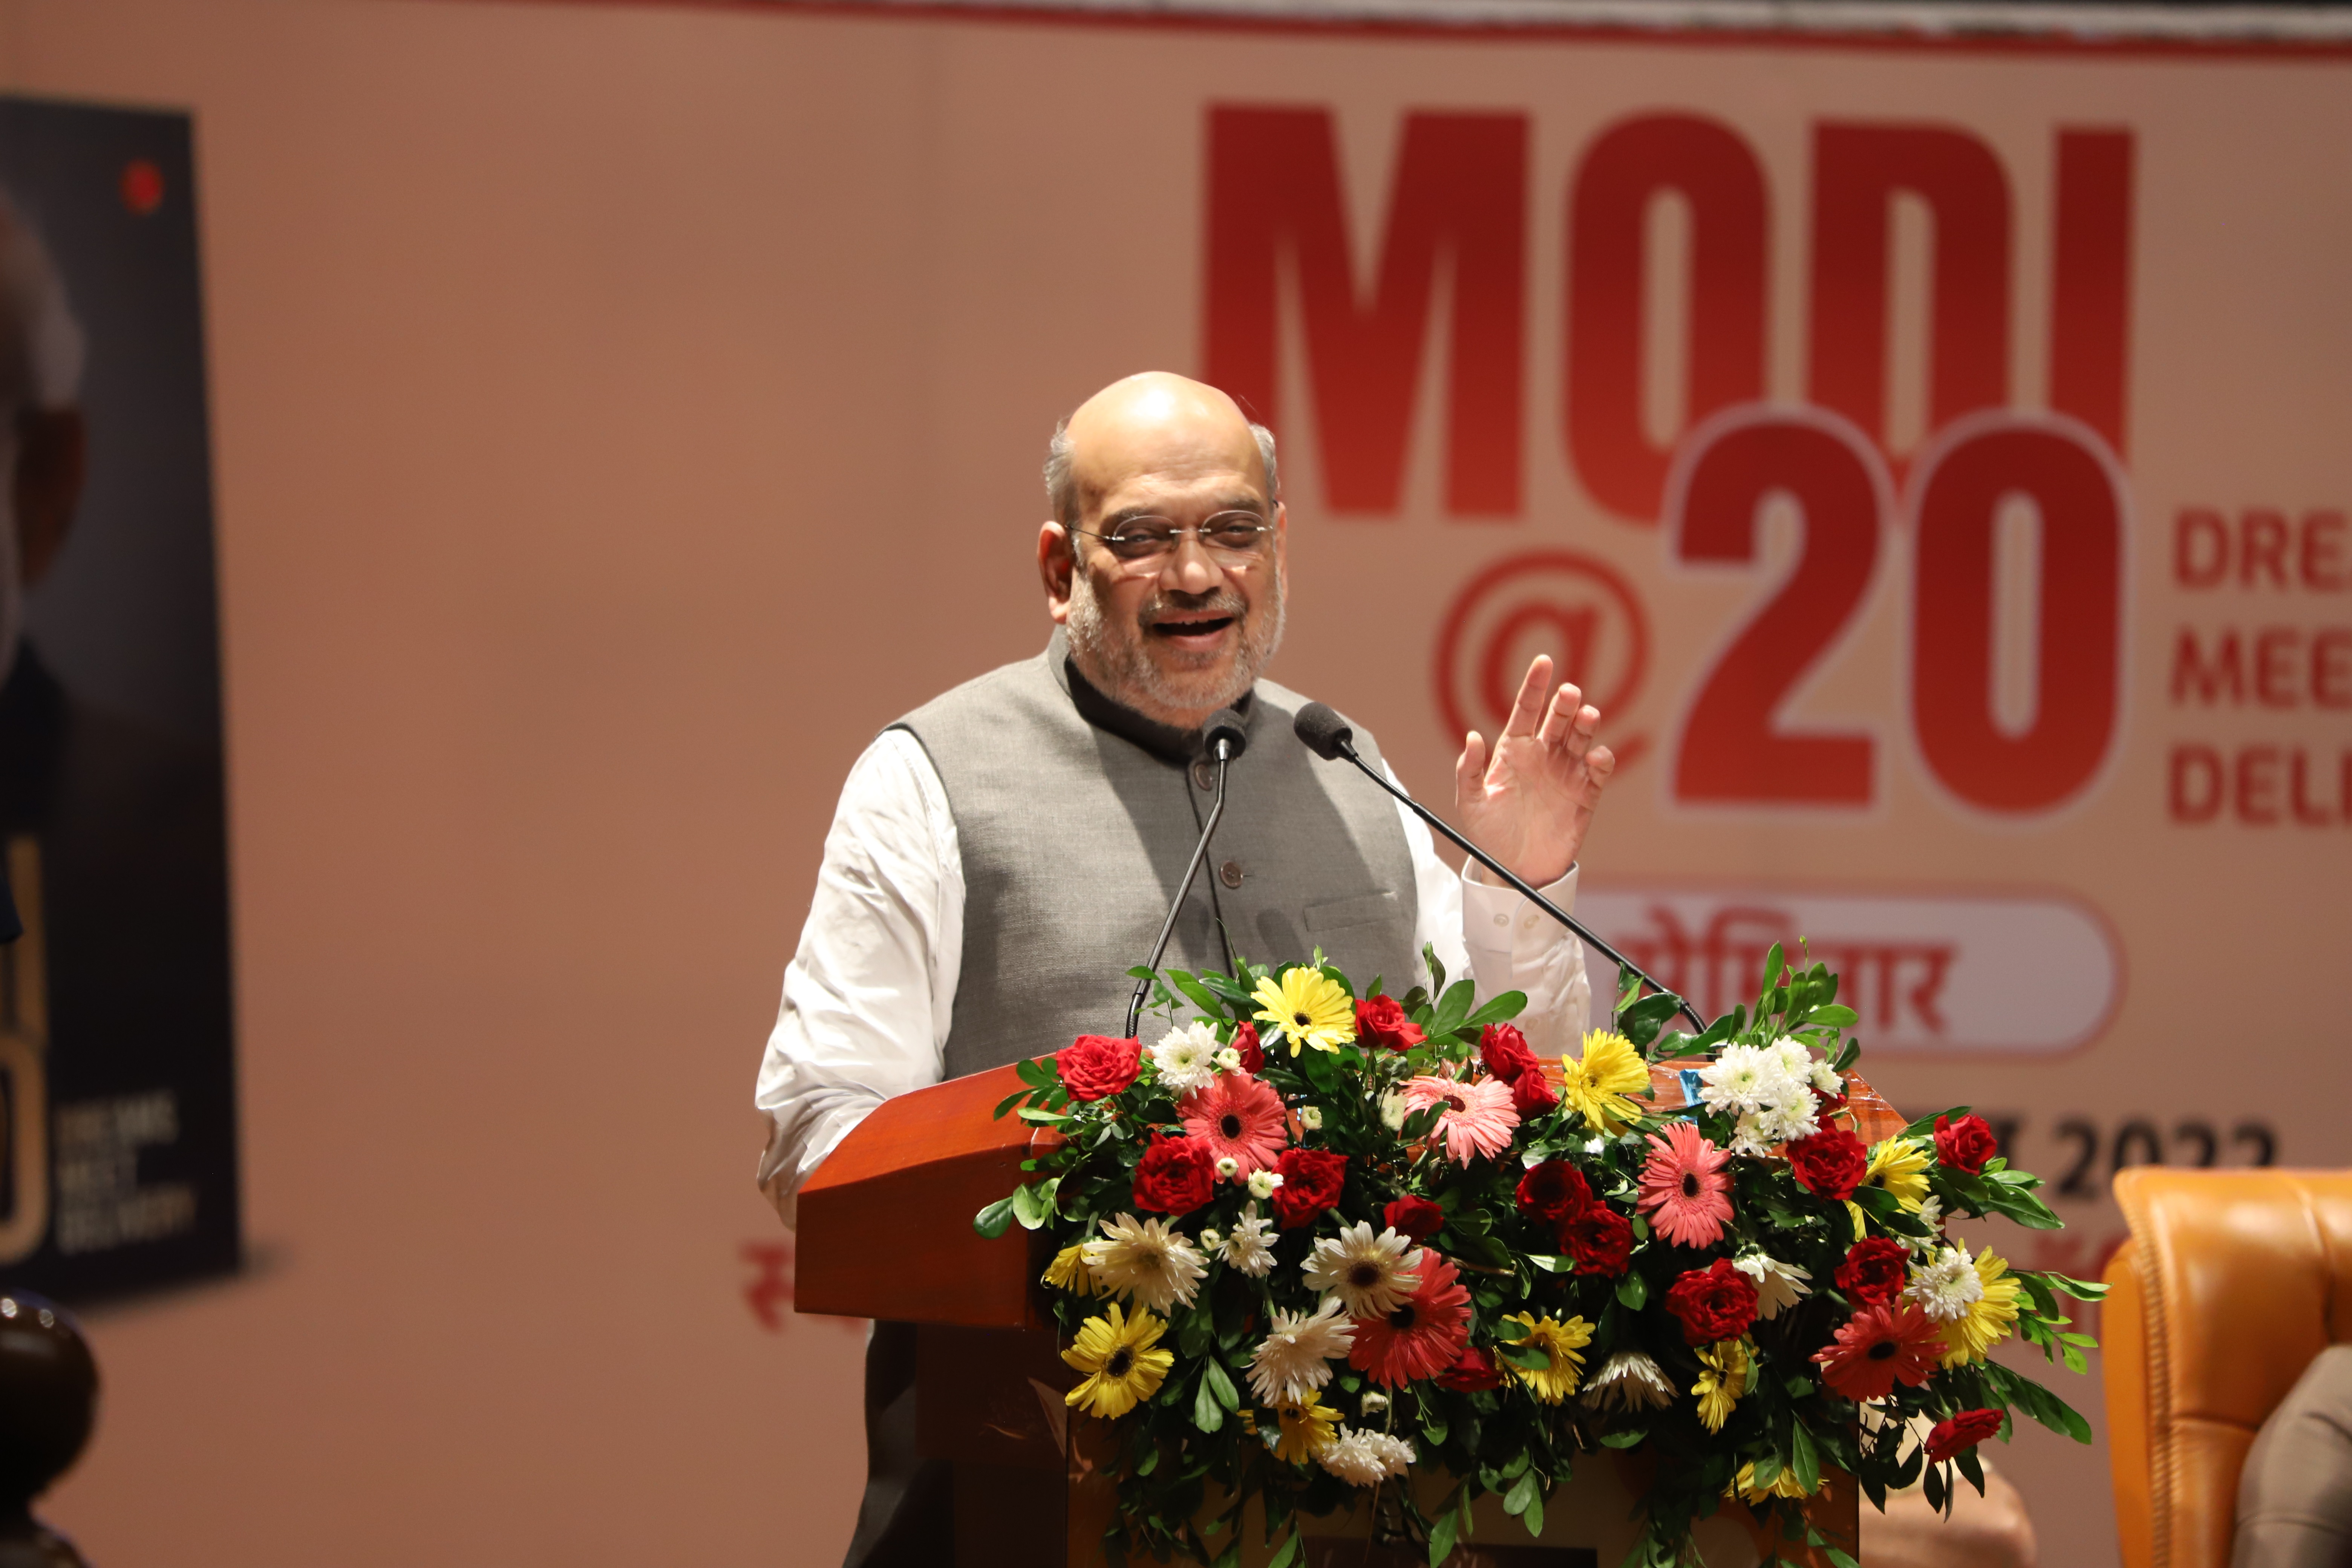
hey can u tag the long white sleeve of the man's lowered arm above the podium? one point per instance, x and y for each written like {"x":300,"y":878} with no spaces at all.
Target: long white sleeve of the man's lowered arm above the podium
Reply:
{"x":871,"y":991}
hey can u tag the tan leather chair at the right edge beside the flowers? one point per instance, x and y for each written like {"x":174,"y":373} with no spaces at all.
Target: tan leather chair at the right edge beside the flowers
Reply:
{"x":2229,"y":1287}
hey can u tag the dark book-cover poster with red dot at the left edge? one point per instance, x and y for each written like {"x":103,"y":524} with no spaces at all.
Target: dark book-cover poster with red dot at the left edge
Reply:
{"x":119,"y":1160}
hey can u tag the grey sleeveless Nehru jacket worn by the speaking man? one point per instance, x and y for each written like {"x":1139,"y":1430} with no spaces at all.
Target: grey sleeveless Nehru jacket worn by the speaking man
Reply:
{"x":1076,"y":819}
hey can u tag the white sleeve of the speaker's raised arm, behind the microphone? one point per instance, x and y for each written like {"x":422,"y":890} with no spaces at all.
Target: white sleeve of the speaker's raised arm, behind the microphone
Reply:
{"x":1502,"y":942}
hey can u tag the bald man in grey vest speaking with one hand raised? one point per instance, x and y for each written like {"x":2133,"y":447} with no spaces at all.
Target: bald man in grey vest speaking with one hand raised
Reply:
{"x":1003,"y":855}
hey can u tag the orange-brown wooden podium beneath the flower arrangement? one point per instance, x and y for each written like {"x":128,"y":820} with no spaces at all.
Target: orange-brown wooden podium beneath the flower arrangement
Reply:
{"x":886,"y":1233}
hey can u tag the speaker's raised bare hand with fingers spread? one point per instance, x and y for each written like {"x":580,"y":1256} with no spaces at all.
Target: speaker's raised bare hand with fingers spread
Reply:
{"x":1532,"y":800}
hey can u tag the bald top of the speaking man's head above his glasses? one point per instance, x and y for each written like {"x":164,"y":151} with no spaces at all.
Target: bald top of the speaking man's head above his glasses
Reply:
{"x":1154,"y":424}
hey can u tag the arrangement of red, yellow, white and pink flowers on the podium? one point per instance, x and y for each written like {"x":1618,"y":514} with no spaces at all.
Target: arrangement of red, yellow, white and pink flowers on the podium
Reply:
{"x":1318,"y":1240}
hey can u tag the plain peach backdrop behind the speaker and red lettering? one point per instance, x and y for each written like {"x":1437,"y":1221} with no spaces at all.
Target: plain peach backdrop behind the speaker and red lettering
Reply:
{"x":624,"y":413}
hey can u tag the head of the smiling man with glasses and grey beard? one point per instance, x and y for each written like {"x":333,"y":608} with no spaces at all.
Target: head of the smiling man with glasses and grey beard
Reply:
{"x":1168,"y":558}
